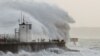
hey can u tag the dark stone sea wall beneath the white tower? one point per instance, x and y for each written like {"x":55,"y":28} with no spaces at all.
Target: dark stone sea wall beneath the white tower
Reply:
{"x":34,"y":46}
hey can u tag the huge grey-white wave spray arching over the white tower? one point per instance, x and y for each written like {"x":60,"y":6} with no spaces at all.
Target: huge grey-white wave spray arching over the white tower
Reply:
{"x":47,"y":19}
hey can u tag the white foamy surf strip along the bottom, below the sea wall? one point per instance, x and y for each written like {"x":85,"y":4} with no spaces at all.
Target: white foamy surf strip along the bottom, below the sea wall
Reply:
{"x":83,"y":52}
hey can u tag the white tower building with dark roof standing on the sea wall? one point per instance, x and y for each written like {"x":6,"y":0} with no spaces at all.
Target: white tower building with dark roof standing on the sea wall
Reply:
{"x":25,"y":32}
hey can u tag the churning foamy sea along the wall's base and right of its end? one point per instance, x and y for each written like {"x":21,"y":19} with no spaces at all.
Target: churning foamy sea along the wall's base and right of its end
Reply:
{"x":87,"y":47}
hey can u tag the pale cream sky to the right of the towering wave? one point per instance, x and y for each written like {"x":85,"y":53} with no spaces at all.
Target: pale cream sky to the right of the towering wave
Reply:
{"x":85,"y":12}
